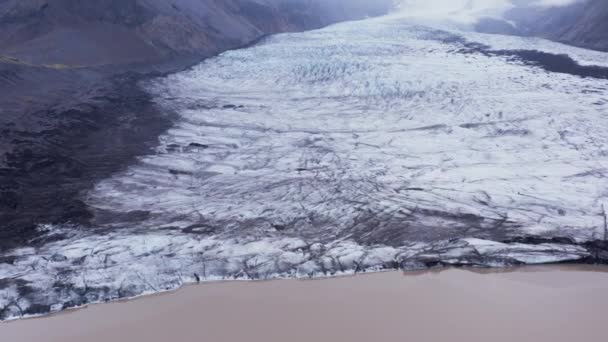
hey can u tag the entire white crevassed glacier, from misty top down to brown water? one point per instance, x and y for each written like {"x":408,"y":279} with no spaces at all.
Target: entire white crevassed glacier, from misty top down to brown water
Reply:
{"x":363,"y":146}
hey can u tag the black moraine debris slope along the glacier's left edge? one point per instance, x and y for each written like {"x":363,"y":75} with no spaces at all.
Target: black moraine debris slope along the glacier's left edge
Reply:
{"x":47,"y":171}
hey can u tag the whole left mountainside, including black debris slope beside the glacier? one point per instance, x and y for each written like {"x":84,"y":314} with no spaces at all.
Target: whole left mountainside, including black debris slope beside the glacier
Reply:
{"x":71,"y":110}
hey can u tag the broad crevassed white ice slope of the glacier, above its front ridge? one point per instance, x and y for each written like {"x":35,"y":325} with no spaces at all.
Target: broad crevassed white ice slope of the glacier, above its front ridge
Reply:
{"x":373,"y":131}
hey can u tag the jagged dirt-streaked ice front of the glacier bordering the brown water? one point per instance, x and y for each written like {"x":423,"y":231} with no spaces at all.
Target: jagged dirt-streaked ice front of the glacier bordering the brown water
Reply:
{"x":46,"y":294}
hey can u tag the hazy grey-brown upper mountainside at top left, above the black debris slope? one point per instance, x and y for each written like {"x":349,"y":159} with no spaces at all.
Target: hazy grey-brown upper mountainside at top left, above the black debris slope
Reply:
{"x":98,"y":32}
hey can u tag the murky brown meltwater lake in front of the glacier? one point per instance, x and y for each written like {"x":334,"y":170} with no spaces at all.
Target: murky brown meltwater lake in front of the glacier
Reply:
{"x":437,"y":290}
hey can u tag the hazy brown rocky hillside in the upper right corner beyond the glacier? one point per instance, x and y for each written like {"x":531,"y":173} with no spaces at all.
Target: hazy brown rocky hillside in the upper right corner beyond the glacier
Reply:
{"x":584,"y":23}
